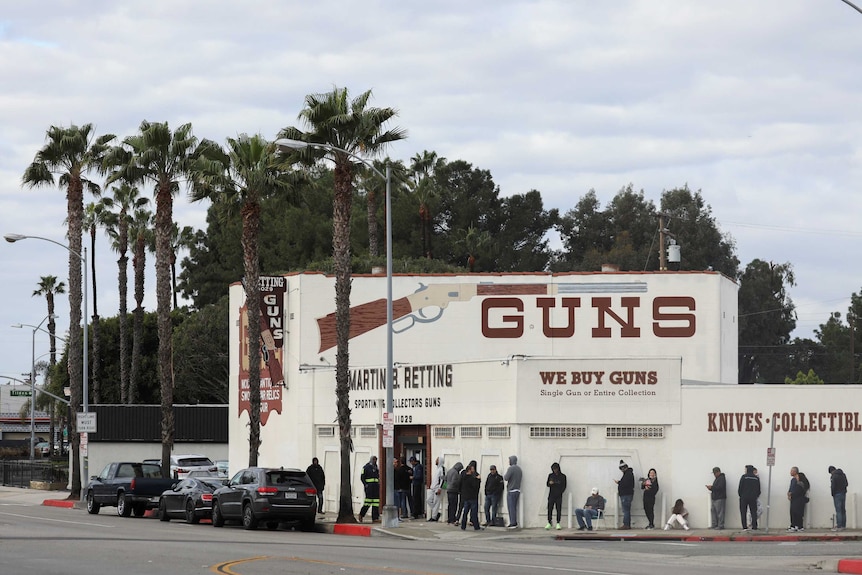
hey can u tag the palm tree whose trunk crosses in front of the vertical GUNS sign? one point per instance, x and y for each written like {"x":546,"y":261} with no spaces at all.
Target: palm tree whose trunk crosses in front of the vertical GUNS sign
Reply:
{"x":238,"y":181}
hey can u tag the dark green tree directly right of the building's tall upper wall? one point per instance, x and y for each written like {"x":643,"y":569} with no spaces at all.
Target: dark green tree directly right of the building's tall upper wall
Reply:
{"x":766,"y":318}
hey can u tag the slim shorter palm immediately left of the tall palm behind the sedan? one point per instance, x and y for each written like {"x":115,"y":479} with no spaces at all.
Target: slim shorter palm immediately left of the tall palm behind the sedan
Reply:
{"x":140,"y":232}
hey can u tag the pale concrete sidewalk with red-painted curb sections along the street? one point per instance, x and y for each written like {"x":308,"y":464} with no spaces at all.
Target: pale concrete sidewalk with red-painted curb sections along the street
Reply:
{"x":422,"y":530}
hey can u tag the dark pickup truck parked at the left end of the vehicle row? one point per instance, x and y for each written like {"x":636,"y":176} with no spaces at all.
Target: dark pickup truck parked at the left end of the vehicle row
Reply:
{"x":131,"y":487}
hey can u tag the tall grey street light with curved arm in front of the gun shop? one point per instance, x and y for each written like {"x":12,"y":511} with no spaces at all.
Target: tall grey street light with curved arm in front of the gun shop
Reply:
{"x":389,"y":514}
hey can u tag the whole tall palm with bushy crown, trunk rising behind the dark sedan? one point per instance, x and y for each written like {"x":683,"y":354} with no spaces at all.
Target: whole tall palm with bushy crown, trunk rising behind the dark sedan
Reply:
{"x":163,"y":158}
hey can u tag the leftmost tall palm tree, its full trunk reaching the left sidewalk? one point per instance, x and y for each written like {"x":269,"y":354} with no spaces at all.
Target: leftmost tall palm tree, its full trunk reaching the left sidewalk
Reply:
{"x":71,"y":153}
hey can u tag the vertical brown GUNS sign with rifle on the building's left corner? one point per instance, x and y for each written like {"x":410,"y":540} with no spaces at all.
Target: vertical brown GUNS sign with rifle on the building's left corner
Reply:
{"x":272,"y":290}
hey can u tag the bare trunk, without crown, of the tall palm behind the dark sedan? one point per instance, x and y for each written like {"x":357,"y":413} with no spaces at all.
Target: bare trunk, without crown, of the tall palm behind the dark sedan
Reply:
{"x":163,"y":223}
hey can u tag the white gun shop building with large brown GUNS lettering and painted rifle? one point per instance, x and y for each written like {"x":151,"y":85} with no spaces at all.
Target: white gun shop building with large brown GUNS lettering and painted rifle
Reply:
{"x":583,"y":369}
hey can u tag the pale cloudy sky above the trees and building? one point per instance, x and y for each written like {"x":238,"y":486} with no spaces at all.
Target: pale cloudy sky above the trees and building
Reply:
{"x":756,"y":104}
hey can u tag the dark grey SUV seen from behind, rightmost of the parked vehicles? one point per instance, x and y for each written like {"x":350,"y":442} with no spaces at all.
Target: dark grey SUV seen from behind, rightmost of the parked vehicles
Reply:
{"x":267,"y":495}
